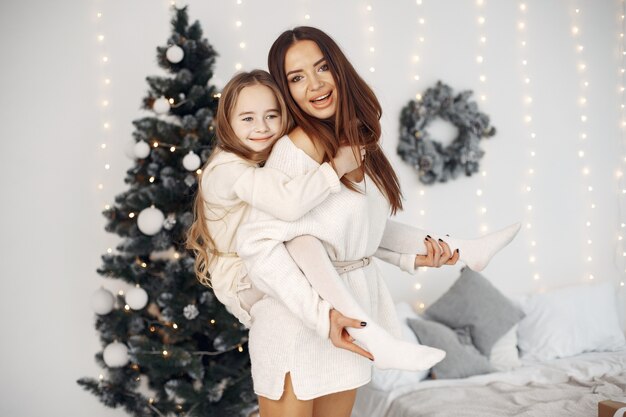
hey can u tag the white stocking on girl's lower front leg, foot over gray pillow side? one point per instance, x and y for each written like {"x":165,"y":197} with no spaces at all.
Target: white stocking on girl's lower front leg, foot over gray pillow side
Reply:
{"x":388,"y":351}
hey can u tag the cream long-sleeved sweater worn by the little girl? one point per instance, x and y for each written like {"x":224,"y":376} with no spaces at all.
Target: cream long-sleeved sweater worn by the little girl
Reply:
{"x":230,"y":186}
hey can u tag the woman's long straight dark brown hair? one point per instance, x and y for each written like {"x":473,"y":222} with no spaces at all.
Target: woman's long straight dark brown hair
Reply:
{"x":357,"y":120}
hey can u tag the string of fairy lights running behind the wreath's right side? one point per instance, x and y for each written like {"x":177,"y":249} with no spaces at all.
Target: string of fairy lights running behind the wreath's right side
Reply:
{"x":482,"y":96}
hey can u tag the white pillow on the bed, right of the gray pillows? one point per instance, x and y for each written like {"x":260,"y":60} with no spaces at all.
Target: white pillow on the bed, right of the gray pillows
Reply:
{"x":570,"y":321}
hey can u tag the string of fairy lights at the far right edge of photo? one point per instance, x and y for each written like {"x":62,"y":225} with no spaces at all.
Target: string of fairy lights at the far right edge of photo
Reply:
{"x":619,"y":175}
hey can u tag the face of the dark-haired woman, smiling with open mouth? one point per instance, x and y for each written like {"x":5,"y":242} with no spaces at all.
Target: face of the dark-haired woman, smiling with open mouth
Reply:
{"x":310,"y":81}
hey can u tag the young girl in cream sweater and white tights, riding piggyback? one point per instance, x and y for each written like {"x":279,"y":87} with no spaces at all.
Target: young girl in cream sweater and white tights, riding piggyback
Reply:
{"x":251,"y":117}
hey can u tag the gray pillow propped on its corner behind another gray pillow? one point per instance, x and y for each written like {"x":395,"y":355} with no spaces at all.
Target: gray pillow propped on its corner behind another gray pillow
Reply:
{"x":474,"y":302}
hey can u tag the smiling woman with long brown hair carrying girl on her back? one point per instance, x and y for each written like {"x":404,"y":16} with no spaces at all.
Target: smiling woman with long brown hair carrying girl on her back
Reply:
{"x":295,"y":372}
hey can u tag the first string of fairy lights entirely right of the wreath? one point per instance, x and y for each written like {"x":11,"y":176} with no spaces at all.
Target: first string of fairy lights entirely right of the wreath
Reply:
{"x":530,"y":138}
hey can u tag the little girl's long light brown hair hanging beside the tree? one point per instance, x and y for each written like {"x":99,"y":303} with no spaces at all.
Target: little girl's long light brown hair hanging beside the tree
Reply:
{"x":199,"y":239}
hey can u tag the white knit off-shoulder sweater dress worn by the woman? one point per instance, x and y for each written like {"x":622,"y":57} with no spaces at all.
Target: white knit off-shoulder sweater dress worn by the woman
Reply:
{"x":287,"y":323}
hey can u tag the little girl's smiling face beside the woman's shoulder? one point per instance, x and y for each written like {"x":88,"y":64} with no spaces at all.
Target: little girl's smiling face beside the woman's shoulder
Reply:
{"x":256,"y":118}
